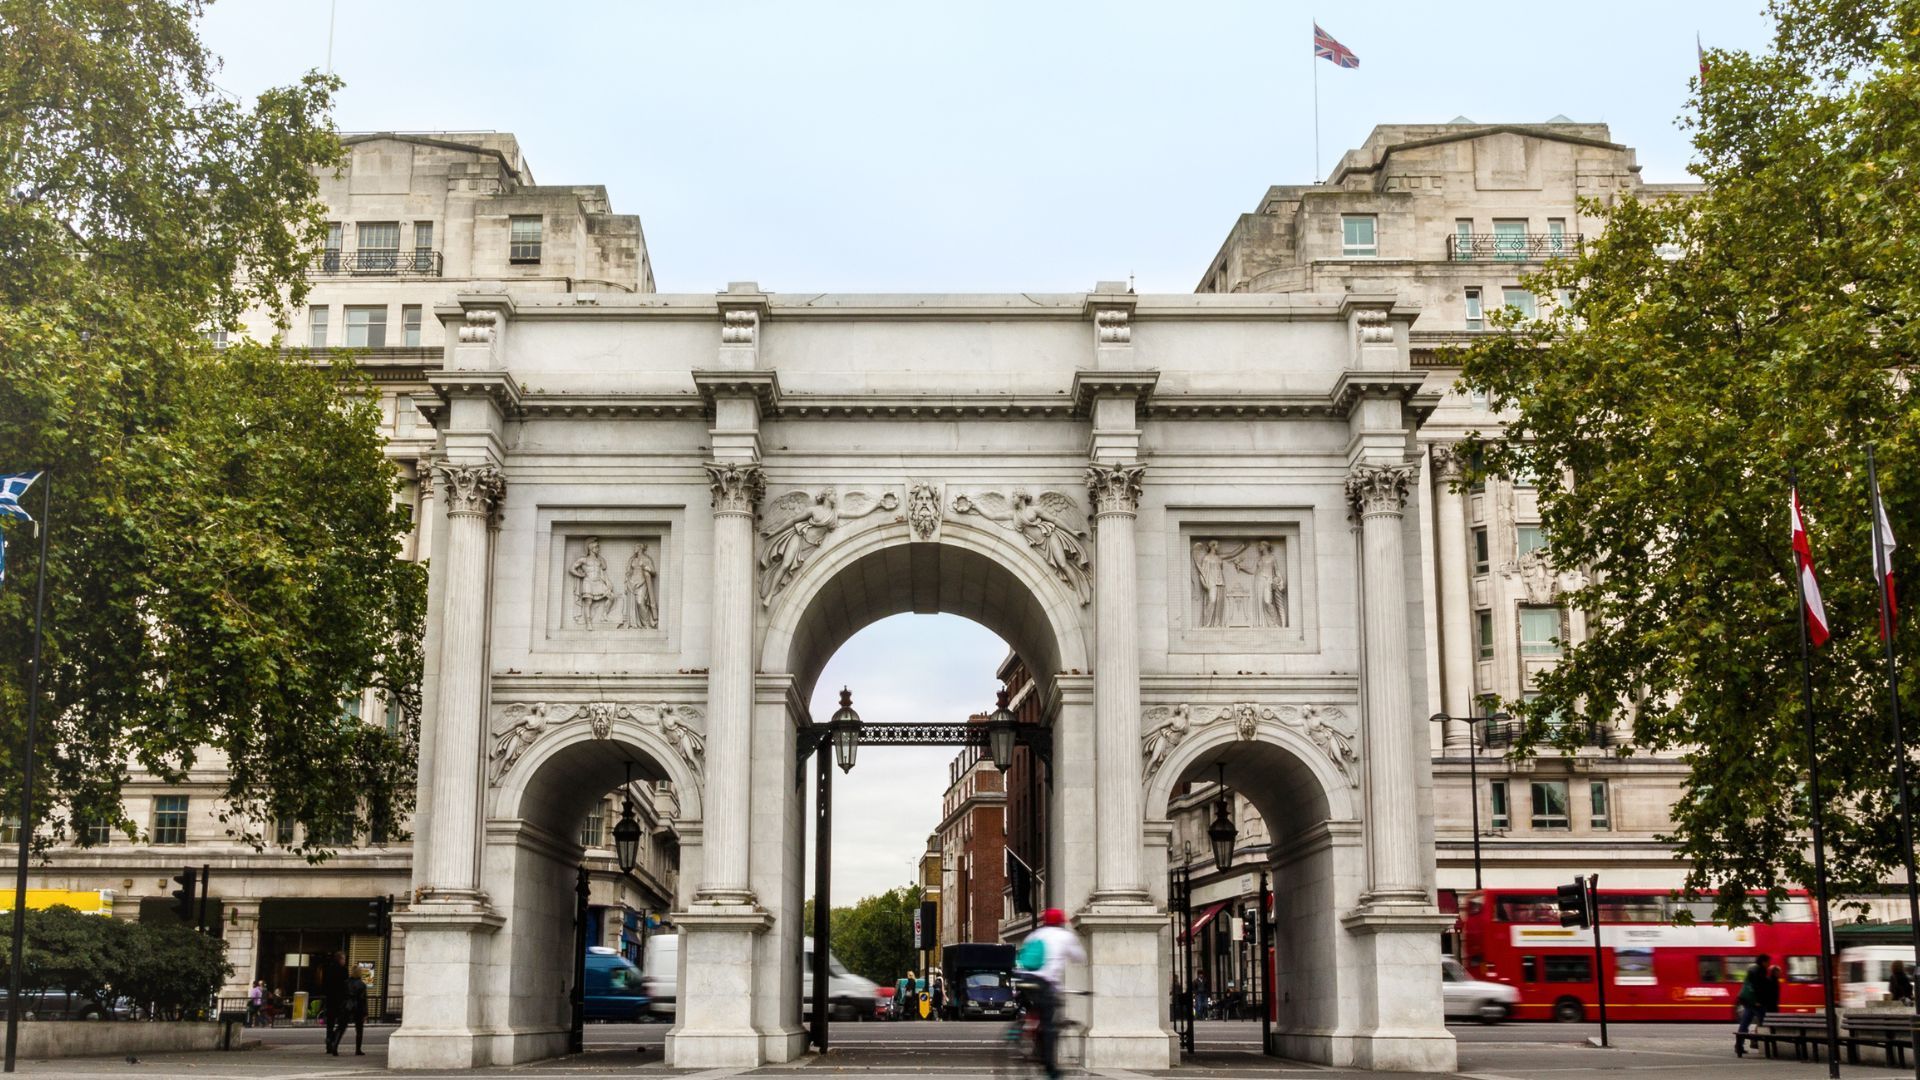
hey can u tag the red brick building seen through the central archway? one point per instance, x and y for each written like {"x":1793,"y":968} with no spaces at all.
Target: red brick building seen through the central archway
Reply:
{"x":972,"y":847}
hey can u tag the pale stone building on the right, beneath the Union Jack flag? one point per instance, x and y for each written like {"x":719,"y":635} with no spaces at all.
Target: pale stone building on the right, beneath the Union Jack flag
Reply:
{"x":1451,"y":218}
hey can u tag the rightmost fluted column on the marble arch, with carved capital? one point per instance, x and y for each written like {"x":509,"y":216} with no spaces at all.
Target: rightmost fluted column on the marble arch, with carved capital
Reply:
{"x":1378,"y":497}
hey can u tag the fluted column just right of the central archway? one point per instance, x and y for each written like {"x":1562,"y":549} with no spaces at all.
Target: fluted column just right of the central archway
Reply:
{"x":1116,"y":695}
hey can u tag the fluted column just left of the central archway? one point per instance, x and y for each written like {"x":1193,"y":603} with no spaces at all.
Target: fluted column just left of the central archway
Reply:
{"x":736,"y":495}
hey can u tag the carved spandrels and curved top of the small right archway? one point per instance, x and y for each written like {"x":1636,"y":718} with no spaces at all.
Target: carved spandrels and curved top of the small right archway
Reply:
{"x":1297,"y":764}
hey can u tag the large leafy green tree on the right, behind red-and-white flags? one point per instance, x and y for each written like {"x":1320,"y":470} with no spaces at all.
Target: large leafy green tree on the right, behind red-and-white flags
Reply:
{"x":1710,"y":347}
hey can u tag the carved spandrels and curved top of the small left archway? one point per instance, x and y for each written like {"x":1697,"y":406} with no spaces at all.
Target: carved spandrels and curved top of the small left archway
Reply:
{"x":587,"y":752}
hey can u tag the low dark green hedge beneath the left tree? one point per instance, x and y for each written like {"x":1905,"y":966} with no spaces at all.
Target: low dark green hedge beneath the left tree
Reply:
{"x":172,"y":971}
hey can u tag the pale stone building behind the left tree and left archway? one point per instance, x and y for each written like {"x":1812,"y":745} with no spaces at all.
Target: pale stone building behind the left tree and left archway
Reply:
{"x":416,"y":220}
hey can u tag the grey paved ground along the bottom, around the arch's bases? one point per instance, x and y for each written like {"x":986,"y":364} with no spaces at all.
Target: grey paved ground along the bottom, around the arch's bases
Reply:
{"x":878,"y":1052}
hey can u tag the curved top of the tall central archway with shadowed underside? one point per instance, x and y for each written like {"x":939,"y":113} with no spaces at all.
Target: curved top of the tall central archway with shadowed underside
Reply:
{"x":982,"y":574}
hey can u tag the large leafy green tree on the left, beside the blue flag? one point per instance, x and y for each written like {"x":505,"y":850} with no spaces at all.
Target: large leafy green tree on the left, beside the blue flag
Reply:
{"x":226,"y":541}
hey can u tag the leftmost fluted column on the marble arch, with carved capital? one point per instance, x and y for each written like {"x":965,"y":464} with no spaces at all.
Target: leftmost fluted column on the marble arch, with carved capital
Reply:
{"x":471,"y":495}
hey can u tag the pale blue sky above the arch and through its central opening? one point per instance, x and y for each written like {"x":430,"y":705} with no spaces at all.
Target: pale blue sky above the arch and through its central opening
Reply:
{"x":961,"y":147}
